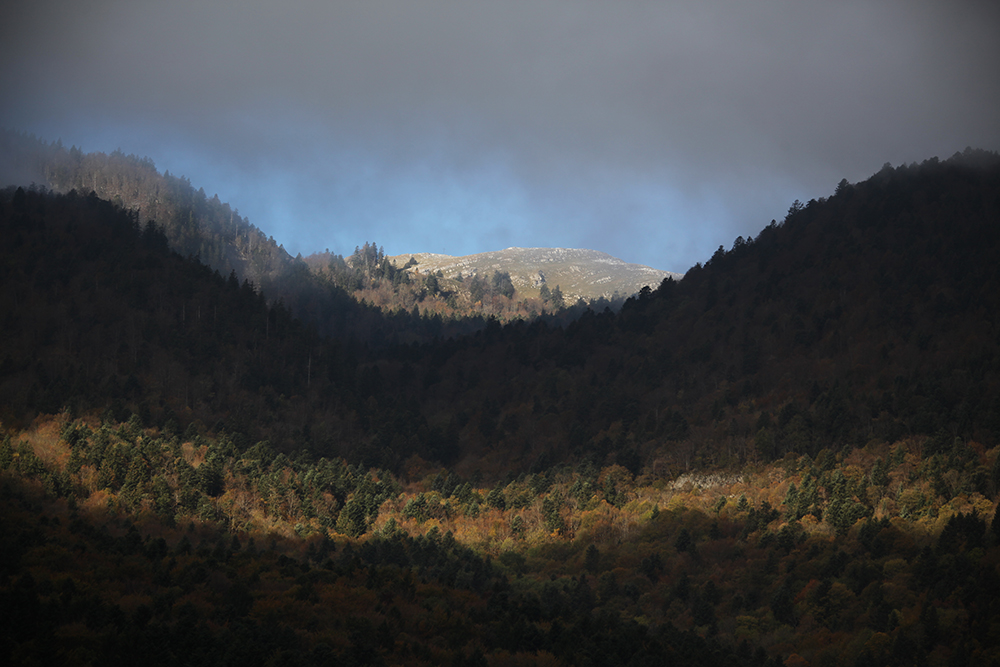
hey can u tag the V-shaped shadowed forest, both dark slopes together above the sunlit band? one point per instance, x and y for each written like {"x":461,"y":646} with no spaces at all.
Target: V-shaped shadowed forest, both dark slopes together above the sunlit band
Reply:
{"x":871,"y":314}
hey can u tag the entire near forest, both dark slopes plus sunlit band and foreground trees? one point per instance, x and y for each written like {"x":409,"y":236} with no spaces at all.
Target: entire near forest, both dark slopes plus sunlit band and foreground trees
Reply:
{"x":789,"y":456}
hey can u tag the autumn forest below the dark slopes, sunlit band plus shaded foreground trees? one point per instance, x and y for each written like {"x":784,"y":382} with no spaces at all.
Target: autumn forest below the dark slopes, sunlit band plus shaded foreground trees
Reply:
{"x":119,"y":535}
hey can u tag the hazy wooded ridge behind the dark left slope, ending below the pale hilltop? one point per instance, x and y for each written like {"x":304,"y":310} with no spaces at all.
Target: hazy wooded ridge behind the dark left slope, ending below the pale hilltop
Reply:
{"x":342,"y":297}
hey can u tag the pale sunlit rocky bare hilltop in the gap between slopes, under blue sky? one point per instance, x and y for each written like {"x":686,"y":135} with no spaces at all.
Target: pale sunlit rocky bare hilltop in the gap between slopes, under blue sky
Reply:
{"x":580,"y":274}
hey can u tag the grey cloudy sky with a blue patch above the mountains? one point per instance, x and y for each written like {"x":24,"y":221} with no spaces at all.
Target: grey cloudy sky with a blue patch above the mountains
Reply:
{"x":652,"y":130}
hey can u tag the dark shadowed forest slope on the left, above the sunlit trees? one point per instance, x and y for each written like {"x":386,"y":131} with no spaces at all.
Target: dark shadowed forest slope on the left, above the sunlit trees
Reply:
{"x":100,"y":315}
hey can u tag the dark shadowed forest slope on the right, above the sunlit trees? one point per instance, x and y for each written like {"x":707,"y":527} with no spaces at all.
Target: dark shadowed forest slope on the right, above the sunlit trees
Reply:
{"x":868,"y":314}
